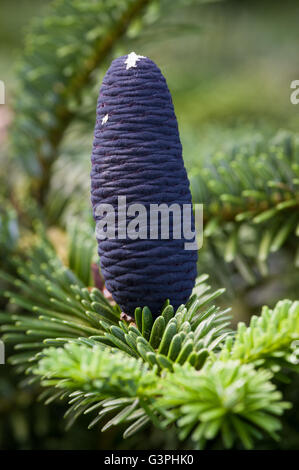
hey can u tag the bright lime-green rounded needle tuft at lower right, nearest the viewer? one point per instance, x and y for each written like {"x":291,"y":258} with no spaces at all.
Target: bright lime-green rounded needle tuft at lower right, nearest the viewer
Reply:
{"x":232,"y":399}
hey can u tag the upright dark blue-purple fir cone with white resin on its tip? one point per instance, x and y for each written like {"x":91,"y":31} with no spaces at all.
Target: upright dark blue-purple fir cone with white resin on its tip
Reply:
{"x":137,"y":153}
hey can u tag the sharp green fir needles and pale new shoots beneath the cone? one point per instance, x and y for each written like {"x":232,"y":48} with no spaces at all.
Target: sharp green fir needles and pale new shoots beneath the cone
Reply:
{"x":185,"y":367}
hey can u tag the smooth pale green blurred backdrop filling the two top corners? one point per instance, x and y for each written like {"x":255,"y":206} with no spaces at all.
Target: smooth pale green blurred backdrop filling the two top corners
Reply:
{"x":228,"y":65}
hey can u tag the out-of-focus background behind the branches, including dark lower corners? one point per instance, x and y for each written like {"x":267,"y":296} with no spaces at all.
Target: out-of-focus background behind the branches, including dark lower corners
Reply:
{"x":229,"y":66}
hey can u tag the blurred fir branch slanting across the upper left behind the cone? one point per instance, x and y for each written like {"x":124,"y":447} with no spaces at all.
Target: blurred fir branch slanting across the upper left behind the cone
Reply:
{"x":63,"y":49}
